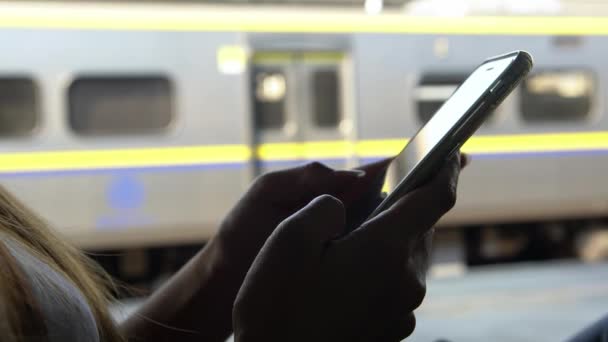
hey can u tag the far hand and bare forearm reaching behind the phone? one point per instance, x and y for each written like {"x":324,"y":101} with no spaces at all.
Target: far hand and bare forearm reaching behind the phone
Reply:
{"x":196,"y":303}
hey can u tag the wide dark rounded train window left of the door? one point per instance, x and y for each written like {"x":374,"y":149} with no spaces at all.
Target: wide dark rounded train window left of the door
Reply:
{"x":120,"y":105}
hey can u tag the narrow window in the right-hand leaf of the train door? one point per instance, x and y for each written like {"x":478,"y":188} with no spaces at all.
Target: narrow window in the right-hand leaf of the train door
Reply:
{"x":326,"y":98}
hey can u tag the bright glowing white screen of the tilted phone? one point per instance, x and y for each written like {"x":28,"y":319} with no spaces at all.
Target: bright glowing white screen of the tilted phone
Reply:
{"x":448,"y":116}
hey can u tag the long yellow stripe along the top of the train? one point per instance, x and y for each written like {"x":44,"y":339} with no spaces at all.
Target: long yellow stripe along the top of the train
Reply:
{"x":226,"y":19}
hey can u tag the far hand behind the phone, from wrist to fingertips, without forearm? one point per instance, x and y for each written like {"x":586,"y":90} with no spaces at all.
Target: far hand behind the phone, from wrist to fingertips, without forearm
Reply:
{"x":275,"y":196}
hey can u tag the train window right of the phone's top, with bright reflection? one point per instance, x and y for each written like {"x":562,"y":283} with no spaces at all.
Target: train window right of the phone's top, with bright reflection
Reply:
{"x":557,"y":96}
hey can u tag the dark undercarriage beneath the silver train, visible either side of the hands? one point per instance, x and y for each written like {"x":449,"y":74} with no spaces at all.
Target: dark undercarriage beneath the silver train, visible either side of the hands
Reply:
{"x":456,"y":252}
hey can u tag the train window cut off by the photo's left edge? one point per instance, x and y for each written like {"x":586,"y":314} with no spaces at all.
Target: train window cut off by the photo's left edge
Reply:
{"x":18,"y":113}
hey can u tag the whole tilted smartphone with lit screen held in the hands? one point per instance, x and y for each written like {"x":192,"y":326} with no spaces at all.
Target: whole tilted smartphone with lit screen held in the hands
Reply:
{"x":454,"y":122}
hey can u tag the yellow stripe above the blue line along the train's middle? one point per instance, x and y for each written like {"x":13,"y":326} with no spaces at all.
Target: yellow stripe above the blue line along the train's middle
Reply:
{"x":223,"y":154}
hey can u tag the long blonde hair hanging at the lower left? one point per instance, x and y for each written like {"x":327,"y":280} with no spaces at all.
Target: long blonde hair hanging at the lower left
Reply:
{"x":20,"y":223}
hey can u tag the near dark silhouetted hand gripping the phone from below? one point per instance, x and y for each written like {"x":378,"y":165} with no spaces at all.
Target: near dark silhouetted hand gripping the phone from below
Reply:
{"x":305,"y":285}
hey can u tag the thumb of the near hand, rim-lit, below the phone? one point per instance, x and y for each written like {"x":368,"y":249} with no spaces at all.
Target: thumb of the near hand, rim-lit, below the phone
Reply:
{"x":299,"y":241}
